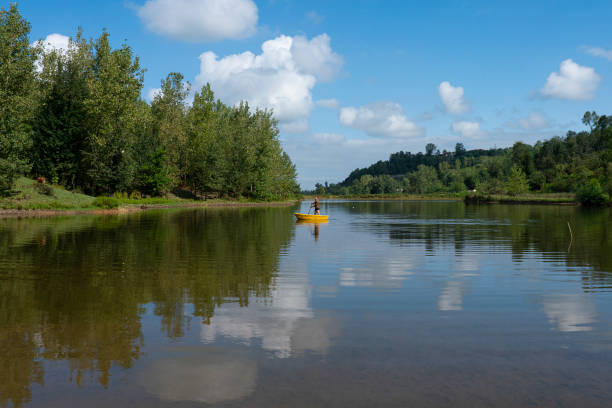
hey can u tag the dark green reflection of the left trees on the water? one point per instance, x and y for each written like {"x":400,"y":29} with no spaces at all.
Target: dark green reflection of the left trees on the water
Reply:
{"x":80,"y":297}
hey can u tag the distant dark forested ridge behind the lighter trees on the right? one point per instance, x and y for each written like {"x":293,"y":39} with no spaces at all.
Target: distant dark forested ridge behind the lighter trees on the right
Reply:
{"x":402,"y":162}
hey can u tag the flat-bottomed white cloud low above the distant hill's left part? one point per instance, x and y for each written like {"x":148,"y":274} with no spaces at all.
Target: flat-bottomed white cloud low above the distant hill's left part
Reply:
{"x":383,"y":119}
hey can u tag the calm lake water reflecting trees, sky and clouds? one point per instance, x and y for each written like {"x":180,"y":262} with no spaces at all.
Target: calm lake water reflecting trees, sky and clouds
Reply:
{"x":389,"y":304}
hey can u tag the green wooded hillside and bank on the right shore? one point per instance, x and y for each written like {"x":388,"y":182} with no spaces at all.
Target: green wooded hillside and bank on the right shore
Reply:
{"x":578,"y":164}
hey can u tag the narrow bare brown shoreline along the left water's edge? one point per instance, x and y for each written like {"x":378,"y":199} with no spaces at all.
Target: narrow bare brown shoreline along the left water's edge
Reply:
{"x":133,"y":208}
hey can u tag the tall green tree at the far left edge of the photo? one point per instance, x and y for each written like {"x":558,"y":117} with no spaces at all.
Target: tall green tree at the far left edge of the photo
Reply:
{"x":17,"y":82}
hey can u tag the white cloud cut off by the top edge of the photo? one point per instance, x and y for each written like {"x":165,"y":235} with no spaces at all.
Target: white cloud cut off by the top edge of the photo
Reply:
{"x":200,"y":20}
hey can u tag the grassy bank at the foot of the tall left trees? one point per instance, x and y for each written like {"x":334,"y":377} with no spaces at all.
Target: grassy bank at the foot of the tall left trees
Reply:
{"x":32,"y":198}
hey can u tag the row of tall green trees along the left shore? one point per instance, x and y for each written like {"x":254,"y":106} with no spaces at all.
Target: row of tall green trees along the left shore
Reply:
{"x":77,"y":118}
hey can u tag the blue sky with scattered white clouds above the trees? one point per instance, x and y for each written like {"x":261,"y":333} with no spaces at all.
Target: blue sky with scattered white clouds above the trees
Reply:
{"x":351,"y":82}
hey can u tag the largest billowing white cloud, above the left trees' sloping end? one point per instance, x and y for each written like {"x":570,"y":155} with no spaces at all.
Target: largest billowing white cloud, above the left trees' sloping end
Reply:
{"x":277,"y":79}
